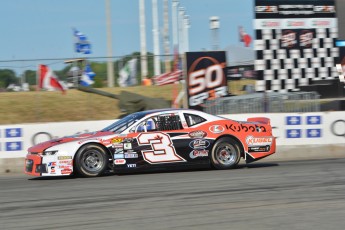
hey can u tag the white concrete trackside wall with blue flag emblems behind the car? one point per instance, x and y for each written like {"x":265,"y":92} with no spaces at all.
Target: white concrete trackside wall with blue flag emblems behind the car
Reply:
{"x":291,"y":129}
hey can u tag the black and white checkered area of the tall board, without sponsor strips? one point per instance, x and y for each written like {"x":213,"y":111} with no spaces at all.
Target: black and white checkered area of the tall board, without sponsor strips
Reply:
{"x":285,"y":70}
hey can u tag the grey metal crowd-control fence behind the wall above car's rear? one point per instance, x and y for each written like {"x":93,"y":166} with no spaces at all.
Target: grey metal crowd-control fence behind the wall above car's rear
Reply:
{"x":265,"y":102}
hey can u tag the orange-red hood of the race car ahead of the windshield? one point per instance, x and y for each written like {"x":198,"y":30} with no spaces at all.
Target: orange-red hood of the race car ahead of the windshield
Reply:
{"x":79,"y":137}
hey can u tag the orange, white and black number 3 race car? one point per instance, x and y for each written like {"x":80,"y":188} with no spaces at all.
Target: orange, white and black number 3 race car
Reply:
{"x":155,"y":139}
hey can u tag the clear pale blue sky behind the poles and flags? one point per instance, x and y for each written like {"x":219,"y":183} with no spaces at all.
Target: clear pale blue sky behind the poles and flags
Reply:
{"x":42,"y":29}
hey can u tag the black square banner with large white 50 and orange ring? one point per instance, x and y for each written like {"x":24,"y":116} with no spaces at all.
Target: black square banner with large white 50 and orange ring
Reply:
{"x":205,"y":78}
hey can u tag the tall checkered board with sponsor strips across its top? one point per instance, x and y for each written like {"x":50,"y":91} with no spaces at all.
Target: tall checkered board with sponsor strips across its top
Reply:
{"x":294,"y":43}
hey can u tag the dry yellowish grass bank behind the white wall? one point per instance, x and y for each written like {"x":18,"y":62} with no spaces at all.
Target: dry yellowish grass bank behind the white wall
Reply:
{"x":40,"y":106}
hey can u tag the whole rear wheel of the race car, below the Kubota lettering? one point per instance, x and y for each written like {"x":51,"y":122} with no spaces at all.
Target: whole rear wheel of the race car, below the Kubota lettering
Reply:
{"x":225,"y":153}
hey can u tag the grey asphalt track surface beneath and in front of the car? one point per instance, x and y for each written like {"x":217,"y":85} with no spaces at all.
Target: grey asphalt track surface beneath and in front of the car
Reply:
{"x":262,"y":195}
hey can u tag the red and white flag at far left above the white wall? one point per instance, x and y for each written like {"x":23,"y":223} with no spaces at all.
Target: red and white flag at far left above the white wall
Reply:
{"x":47,"y":79}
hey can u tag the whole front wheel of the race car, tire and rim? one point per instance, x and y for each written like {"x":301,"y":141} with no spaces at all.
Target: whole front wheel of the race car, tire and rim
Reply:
{"x":90,"y":161}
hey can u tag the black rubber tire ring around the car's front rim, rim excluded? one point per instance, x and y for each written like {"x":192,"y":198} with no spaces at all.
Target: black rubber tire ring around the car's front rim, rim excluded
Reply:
{"x":84,"y":172}
